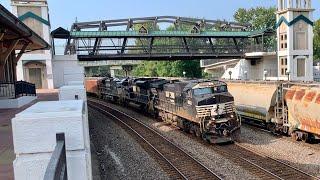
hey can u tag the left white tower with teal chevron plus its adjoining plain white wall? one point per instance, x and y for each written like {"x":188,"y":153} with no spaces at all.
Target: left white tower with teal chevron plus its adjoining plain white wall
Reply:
{"x":42,"y":67}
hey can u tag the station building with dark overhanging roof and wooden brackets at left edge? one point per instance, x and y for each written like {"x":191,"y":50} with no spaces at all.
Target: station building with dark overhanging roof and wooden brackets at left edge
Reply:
{"x":15,"y":39}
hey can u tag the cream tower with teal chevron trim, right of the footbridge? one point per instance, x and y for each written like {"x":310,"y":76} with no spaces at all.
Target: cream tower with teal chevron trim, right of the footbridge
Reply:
{"x":295,"y":40}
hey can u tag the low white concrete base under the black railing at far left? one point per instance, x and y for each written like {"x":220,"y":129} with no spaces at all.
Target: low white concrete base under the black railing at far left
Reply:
{"x":16,"y":103}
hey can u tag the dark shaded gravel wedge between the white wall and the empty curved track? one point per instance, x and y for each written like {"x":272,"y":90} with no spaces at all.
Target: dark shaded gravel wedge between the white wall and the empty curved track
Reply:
{"x":119,"y":155}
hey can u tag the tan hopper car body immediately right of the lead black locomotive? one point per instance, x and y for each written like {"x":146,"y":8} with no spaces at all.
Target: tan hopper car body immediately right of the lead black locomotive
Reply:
{"x":254,"y":100}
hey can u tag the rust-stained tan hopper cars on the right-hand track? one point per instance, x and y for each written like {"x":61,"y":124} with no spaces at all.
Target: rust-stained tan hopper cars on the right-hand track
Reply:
{"x":290,"y":108}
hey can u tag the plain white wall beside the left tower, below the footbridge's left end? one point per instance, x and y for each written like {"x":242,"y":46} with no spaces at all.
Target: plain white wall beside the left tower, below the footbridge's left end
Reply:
{"x":66,"y":68}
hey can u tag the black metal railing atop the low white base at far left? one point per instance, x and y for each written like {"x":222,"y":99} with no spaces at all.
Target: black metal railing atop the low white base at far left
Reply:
{"x":17,"y":89}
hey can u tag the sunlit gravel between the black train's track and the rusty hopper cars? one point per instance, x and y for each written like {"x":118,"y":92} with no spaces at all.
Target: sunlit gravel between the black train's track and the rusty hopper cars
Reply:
{"x":298,"y":155}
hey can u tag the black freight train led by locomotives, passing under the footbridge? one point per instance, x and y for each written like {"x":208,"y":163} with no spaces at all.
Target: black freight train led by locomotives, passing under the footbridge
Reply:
{"x":204,"y":108}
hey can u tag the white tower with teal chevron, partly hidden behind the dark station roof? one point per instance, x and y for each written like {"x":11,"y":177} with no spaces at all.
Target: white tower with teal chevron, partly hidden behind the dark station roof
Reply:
{"x":36,"y":66}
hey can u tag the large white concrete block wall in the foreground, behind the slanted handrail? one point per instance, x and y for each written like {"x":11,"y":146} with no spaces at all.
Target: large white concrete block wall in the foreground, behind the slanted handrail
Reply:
{"x":34,"y":137}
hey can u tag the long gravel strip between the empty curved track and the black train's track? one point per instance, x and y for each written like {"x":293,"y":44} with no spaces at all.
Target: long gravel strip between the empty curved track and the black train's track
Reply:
{"x":214,"y":161}
